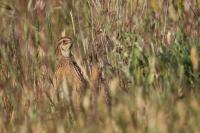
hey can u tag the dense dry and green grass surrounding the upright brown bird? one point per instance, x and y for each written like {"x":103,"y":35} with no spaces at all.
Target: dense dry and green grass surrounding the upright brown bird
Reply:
{"x":152,"y":47}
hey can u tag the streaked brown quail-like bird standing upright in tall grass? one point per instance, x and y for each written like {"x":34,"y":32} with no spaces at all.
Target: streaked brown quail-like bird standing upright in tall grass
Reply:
{"x":68,"y":70}
